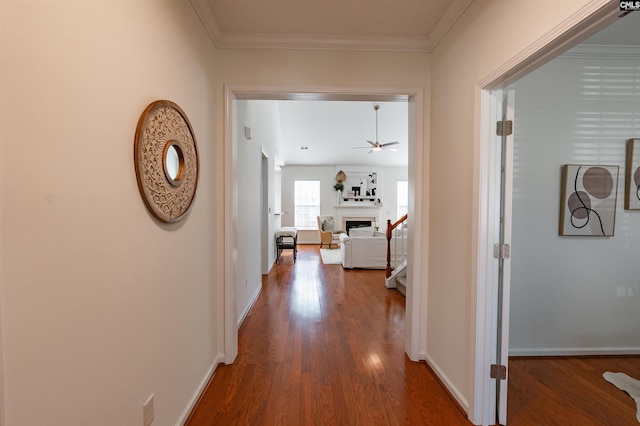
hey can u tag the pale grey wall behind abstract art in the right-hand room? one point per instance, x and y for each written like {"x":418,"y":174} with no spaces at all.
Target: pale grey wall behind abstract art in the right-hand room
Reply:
{"x":573,"y":294}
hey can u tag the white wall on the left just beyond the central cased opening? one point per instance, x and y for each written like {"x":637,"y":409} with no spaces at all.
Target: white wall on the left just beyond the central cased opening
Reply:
{"x":262,"y":118}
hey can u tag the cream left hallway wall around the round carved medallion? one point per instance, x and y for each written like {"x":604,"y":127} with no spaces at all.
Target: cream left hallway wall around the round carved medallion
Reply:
{"x":101,"y":305}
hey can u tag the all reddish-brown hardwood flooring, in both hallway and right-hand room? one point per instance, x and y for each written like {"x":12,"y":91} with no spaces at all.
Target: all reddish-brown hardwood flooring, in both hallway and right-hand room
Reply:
{"x":325,"y":346}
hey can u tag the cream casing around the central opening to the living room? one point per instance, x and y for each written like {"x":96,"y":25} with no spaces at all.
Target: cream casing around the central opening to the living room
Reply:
{"x":415,"y":328}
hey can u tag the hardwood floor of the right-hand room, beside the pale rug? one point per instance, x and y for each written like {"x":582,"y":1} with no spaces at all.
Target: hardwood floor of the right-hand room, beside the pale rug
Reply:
{"x":569,"y":391}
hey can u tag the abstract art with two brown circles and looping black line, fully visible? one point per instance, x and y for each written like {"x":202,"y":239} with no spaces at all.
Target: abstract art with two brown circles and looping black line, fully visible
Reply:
{"x":588,"y":200}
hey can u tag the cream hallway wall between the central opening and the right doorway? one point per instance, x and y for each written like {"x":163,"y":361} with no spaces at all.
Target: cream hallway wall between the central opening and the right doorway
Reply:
{"x":488,"y":35}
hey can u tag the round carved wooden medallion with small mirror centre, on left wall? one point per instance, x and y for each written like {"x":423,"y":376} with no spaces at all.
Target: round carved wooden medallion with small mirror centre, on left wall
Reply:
{"x":166,"y":161}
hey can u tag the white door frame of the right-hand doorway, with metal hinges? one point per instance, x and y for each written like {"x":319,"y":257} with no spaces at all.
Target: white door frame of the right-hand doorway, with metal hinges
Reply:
{"x":590,"y":19}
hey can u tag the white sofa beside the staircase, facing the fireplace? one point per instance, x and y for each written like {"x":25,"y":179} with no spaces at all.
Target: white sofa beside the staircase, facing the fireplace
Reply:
{"x":367,"y":249}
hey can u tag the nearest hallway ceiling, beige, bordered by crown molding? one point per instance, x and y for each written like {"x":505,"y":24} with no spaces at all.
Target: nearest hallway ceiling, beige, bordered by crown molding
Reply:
{"x":400,"y":25}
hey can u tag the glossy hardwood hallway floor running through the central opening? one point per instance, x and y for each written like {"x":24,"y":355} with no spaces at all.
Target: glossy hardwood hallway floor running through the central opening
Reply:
{"x":324,"y":346}
